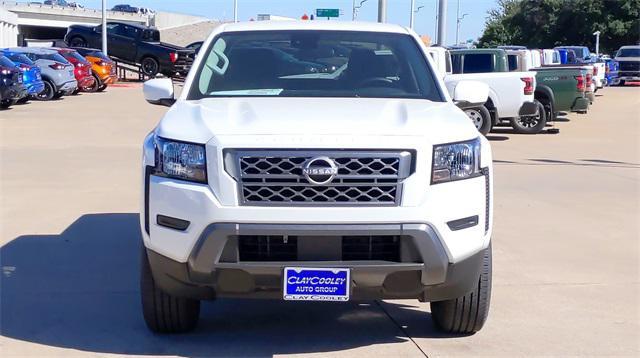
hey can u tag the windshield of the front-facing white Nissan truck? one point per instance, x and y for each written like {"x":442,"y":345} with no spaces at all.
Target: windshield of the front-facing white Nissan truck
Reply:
{"x":314,"y":64}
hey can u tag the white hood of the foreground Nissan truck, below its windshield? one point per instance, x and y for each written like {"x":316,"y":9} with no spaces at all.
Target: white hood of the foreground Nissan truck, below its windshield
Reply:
{"x":198,"y":121}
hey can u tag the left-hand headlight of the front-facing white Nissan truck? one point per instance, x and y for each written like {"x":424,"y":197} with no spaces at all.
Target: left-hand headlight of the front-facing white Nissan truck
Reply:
{"x":180,"y":160}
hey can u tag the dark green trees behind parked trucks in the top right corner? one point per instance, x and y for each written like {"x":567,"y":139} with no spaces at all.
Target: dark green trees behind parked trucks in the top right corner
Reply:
{"x":549,"y":23}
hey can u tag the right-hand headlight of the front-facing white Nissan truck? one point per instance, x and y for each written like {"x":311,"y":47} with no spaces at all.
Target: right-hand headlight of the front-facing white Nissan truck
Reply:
{"x":455,"y":161}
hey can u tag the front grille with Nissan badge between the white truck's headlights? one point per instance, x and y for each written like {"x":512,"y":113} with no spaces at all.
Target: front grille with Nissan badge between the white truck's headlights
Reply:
{"x":283,"y":177}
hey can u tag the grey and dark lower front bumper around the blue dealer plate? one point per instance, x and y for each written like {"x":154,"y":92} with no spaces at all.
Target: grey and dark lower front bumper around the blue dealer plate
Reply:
{"x":213,"y":271}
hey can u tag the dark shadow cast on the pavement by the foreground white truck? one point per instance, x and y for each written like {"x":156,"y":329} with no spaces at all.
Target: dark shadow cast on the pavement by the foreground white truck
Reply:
{"x":79,"y":290}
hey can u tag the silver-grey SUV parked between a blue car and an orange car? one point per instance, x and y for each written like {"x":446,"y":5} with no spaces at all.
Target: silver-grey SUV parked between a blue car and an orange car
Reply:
{"x":57,"y":72}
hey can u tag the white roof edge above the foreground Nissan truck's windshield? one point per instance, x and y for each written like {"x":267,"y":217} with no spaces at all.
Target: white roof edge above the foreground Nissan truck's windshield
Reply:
{"x":313,"y":25}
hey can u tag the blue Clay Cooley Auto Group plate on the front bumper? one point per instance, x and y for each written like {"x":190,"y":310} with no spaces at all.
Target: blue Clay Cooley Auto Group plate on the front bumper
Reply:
{"x":316,"y":284}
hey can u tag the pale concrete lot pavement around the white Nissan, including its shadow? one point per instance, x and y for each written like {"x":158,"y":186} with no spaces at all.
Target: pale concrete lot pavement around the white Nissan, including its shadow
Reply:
{"x":566,"y":247}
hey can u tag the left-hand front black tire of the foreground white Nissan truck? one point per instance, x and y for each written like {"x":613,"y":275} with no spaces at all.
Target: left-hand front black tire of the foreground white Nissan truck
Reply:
{"x":162,"y":312}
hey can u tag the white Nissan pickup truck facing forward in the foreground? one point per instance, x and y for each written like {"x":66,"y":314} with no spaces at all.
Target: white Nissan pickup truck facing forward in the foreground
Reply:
{"x":269,"y":178}
